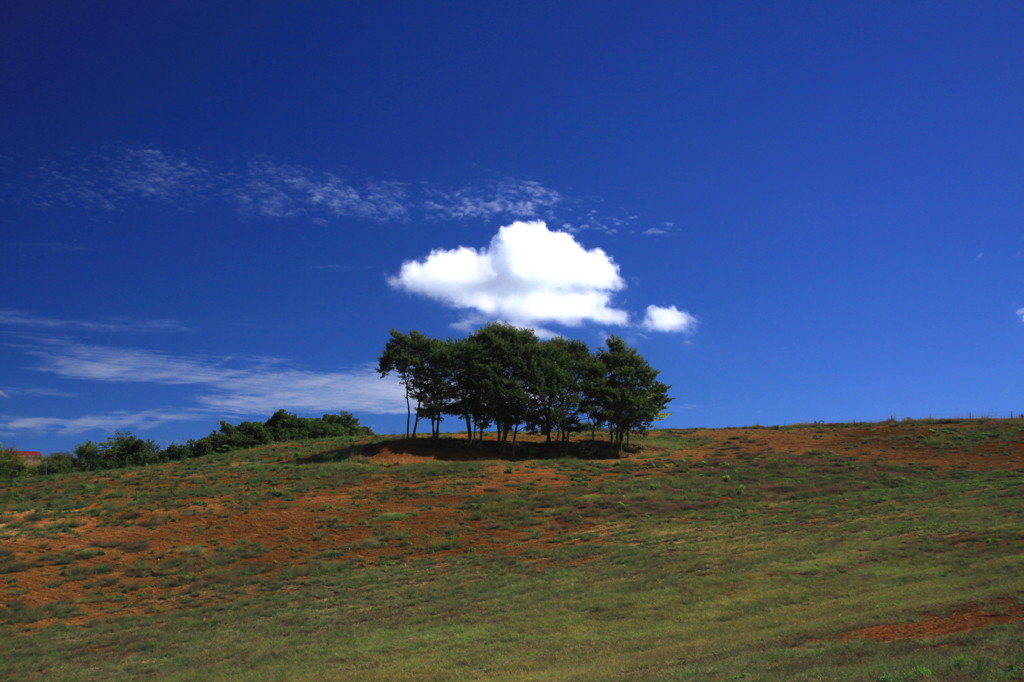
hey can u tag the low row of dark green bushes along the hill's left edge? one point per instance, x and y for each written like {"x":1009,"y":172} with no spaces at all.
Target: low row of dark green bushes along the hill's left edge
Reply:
{"x":124,"y":449}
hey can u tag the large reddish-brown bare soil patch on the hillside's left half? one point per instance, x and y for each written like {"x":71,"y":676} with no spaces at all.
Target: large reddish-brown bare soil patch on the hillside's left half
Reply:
{"x":154,"y":559}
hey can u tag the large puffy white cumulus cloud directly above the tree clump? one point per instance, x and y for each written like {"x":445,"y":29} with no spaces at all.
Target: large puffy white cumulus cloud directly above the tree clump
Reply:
{"x":528,"y":275}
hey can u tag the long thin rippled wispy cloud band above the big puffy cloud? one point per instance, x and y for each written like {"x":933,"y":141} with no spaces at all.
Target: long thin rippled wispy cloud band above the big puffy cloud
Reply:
{"x":117,"y":179}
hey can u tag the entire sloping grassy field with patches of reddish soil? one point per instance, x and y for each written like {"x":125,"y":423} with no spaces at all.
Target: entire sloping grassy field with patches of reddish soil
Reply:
{"x":891,"y":551}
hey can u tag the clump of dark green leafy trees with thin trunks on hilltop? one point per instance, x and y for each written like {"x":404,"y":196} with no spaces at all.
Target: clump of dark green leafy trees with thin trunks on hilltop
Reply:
{"x":504,"y":376}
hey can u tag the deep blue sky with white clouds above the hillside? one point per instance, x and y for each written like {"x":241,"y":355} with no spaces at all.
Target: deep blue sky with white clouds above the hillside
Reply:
{"x":797,"y":211}
